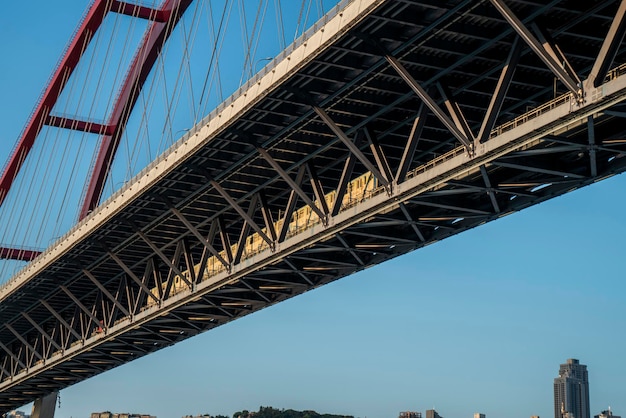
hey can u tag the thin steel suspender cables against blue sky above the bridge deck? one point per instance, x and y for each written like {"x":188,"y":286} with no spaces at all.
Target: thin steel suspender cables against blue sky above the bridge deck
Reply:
{"x":192,"y":74}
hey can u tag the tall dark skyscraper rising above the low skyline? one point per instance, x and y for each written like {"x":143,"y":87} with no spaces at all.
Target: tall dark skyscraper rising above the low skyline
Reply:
{"x":571,"y":391}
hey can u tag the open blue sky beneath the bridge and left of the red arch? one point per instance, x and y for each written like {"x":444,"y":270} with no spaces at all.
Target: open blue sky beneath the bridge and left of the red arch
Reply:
{"x":477,"y":323}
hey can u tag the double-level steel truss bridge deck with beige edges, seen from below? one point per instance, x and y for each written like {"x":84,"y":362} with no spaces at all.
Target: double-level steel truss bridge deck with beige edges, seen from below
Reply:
{"x":389,"y":126}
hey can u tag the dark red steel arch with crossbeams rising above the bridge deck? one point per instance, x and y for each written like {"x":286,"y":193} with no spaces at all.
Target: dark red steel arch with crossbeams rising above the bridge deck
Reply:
{"x":163,"y":21}
